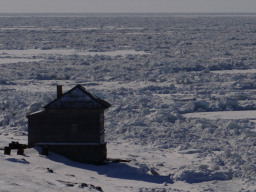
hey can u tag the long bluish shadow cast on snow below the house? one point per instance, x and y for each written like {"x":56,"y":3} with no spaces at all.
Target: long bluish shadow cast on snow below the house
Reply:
{"x":119,"y":170}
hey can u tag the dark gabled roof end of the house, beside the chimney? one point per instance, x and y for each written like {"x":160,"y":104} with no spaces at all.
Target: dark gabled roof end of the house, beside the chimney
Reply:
{"x":78,"y":98}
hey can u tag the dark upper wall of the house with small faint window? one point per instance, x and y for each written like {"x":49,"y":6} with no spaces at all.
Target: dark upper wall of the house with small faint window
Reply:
{"x":85,"y":126}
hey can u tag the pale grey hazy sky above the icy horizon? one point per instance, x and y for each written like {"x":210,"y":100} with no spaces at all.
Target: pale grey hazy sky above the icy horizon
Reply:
{"x":88,"y":6}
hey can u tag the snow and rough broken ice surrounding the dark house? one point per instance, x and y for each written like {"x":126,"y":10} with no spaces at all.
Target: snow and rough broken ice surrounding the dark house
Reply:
{"x":182,"y":90}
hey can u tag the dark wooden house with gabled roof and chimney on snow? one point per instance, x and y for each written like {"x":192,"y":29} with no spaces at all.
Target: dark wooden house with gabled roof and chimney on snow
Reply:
{"x":71,"y":125}
